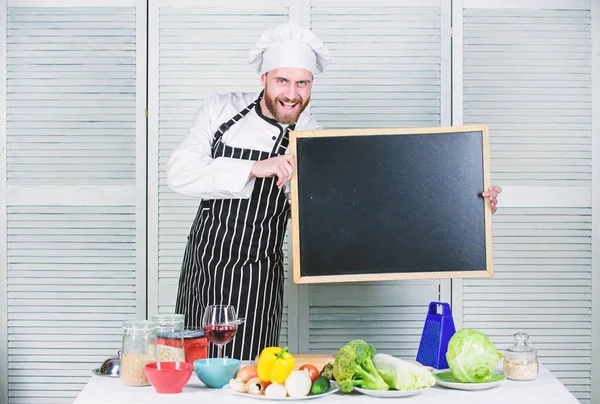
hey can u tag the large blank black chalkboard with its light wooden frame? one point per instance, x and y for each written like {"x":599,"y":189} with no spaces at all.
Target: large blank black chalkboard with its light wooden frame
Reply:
{"x":382,"y":204}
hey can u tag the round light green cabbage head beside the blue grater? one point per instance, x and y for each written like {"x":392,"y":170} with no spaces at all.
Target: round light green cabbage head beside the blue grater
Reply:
{"x":472,"y":357}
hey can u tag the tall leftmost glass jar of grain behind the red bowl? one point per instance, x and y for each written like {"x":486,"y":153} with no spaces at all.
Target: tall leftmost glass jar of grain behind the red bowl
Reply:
{"x":138,"y":349}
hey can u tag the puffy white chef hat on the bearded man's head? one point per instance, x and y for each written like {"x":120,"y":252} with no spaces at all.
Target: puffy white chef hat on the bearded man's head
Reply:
{"x":289,"y":45}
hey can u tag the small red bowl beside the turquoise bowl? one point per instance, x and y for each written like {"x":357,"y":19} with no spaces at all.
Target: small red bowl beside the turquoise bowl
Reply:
{"x":168,"y":377}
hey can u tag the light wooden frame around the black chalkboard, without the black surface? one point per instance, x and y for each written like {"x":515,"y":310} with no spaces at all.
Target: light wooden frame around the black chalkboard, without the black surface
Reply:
{"x":296,"y":264}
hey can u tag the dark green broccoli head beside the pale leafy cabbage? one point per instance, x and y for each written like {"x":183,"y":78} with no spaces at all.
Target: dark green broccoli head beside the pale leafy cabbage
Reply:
{"x":353,"y":366}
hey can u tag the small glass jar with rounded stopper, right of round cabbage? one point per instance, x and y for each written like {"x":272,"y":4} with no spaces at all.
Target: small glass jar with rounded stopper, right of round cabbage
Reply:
{"x":521,"y":362}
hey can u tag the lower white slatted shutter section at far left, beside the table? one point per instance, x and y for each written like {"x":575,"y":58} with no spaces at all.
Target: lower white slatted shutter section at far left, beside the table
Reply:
{"x":71,"y":284}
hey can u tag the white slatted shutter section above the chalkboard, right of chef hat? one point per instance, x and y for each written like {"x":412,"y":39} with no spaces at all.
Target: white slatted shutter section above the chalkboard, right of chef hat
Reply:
{"x":386,"y":64}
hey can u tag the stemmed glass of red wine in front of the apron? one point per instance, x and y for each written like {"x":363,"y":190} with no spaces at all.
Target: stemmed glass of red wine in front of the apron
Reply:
{"x":220,"y":325}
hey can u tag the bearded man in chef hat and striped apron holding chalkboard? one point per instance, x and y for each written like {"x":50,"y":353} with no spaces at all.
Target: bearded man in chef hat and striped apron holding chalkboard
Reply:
{"x":234,"y":159}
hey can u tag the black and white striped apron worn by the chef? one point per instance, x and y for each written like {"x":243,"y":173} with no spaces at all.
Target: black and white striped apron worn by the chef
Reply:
{"x":234,"y":254}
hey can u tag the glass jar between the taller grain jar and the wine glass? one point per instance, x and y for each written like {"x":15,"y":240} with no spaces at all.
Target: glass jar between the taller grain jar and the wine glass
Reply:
{"x":169,"y":337}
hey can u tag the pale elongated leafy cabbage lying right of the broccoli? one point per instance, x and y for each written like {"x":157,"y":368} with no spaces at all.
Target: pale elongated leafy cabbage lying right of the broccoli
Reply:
{"x":402,"y":375}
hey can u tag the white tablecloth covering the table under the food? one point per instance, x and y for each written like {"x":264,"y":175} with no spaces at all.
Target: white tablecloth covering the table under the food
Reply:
{"x":545,"y":389}
